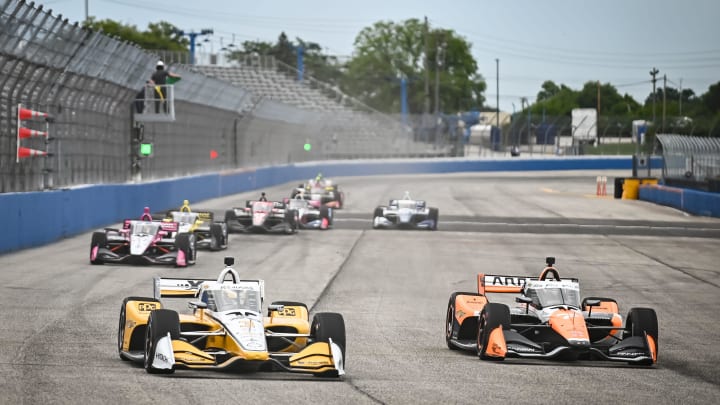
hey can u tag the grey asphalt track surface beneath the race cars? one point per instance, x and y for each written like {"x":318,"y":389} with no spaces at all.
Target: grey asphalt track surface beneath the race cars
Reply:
{"x":59,"y":313}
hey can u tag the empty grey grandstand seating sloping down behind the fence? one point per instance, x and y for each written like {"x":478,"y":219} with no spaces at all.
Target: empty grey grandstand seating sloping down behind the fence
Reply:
{"x":345,"y":128}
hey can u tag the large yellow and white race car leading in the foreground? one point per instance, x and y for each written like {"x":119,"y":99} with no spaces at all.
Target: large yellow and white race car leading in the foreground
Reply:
{"x":227,"y":331}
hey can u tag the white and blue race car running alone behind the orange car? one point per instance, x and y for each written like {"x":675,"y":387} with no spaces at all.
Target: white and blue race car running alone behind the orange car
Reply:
{"x":406,"y":213}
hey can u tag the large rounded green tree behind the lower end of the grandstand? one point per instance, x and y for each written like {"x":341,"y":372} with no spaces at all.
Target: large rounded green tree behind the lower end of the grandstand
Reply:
{"x":387,"y":52}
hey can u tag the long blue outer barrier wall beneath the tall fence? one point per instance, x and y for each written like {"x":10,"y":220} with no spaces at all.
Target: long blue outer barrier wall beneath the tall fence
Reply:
{"x":35,"y":219}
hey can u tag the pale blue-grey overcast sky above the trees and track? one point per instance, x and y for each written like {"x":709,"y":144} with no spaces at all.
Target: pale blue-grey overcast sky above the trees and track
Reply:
{"x":569,"y":42}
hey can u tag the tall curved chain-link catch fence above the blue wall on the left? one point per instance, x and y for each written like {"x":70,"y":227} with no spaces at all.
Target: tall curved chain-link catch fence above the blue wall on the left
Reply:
{"x":89,"y":83}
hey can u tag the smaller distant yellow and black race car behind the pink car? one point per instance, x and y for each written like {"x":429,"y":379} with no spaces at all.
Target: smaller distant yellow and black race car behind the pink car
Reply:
{"x":209,"y":234}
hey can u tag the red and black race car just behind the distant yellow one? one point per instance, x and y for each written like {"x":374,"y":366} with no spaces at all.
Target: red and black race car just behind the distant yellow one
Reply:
{"x":262,"y":216}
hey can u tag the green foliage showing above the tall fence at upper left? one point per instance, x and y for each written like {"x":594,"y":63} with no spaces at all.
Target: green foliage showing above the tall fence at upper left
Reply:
{"x":161,"y":35}
